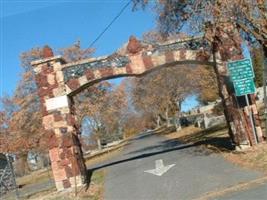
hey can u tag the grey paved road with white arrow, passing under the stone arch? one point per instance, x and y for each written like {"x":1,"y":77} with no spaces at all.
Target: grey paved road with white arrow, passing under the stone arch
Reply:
{"x":196,"y":171}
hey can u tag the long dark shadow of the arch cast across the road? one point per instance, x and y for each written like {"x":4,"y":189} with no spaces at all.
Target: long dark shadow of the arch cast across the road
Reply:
{"x":194,"y":149}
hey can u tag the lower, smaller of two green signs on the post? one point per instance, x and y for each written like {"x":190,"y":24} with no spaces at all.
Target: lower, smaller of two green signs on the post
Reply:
{"x":244,"y":87}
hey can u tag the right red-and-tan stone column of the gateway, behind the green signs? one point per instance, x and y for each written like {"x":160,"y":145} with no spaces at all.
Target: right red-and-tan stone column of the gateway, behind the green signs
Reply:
{"x":227,"y":44}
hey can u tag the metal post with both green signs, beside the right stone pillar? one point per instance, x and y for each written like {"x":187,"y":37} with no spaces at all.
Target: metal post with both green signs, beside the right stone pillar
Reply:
{"x":242,"y":75}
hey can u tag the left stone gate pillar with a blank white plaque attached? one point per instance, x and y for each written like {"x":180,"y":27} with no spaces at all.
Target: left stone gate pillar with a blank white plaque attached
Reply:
{"x":59,"y":123}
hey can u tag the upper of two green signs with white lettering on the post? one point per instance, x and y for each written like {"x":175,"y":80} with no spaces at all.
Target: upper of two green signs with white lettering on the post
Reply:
{"x":241,"y":69}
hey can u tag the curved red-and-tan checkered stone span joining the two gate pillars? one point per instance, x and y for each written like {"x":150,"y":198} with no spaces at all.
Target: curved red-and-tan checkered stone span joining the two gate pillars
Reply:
{"x":81,"y":74}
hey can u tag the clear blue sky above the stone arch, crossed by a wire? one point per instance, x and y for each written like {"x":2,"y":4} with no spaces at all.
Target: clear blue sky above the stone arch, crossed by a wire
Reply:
{"x":27,"y":24}
